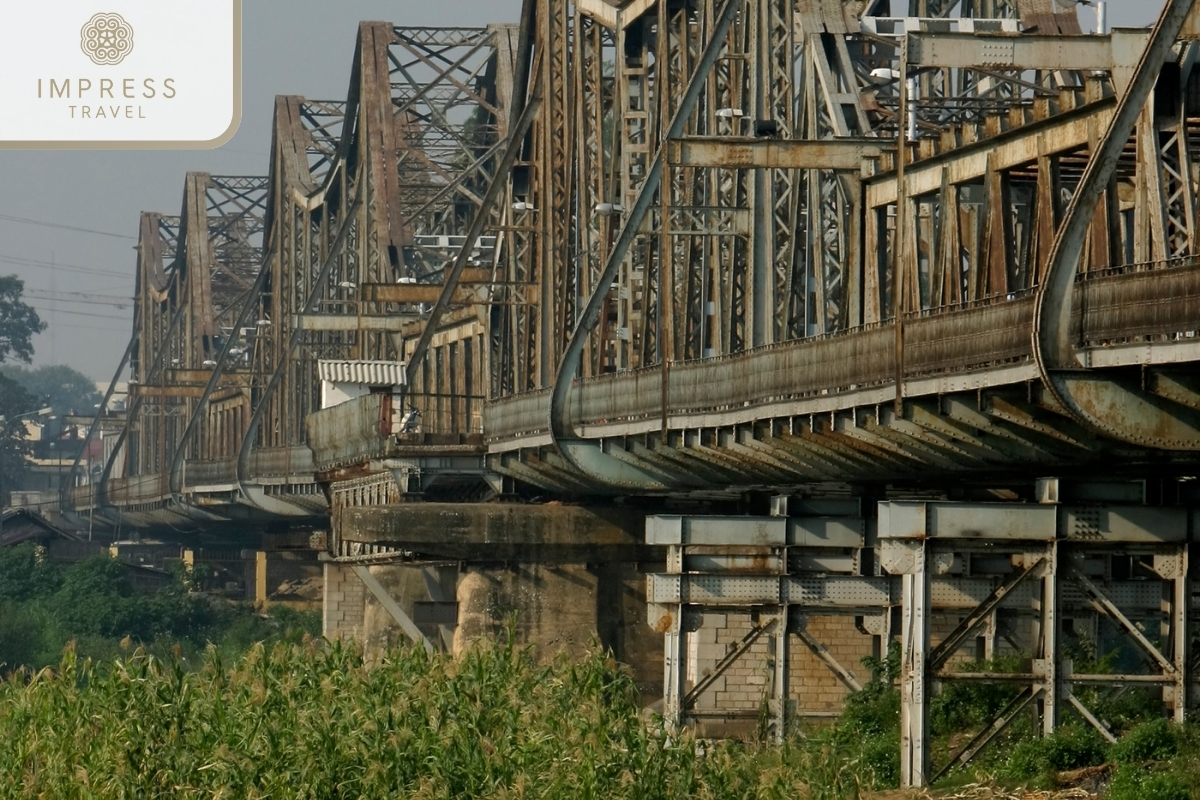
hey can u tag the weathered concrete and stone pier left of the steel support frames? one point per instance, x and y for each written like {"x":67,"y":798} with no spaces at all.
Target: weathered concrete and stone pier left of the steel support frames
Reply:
{"x":449,"y":575}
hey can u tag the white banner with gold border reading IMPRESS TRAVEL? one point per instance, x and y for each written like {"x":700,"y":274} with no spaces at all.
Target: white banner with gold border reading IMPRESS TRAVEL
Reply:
{"x":122,"y":74}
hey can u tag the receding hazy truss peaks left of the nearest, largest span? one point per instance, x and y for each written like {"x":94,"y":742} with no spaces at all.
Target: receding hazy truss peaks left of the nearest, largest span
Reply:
{"x":338,"y":255}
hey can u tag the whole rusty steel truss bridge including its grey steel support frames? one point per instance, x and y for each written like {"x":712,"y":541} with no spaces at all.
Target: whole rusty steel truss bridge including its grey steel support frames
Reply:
{"x":701,"y":250}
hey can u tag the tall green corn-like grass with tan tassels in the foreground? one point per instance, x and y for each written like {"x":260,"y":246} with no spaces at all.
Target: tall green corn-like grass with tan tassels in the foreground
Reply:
{"x":316,"y":721}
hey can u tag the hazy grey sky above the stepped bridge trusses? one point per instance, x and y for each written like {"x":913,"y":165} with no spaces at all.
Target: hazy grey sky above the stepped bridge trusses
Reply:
{"x":292,"y":47}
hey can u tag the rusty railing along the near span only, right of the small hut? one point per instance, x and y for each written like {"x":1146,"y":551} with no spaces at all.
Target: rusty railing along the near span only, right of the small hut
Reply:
{"x":1136,"y":302}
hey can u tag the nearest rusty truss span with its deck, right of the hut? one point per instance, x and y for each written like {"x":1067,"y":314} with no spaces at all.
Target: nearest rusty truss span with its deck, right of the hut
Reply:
{"x":957,"y":147}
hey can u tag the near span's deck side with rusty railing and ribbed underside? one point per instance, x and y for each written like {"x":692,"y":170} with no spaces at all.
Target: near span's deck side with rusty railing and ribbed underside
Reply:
{"x":739,"y":411}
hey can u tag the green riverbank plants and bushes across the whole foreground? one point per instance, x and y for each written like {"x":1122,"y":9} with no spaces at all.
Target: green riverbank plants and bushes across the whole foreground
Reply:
{"x":117,"y":694}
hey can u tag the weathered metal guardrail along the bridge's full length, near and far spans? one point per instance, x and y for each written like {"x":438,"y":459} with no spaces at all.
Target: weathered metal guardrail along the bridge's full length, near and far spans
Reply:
{"x":1118,"y":305}
